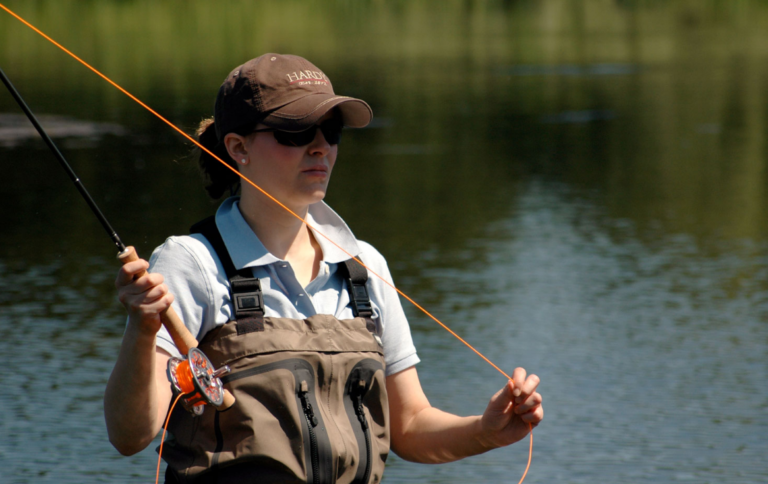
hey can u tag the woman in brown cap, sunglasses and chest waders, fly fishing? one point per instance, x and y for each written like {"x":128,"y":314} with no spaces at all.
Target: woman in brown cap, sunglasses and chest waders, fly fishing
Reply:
{"x":278,"y":122}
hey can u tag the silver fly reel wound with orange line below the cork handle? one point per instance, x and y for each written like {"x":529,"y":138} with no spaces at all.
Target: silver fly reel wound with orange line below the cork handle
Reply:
{"x":196,"y":377}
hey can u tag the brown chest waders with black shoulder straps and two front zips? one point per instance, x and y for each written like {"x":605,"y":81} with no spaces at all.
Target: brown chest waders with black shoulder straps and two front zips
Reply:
{"x":311,"y":401}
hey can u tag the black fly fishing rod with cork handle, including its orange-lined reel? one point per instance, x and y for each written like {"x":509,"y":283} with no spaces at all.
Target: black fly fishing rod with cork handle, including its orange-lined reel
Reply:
{"x":193,"y":375}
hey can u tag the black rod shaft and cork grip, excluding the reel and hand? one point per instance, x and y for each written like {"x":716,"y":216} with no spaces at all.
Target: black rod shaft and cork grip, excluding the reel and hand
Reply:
{"x":183,"y":339}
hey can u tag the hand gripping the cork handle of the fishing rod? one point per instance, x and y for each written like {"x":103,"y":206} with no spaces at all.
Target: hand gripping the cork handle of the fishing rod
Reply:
{"x":143,"y":294}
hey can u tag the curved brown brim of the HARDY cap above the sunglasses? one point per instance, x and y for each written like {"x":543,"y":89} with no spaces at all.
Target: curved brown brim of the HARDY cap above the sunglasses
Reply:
{"x":306,"y":111}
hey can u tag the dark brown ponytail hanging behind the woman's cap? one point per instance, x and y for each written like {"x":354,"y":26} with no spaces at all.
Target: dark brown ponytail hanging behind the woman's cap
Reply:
{"x":218,"y":178}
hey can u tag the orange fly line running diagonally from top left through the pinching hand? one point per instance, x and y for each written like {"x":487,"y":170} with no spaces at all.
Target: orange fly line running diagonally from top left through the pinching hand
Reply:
{"x":314,"y":230}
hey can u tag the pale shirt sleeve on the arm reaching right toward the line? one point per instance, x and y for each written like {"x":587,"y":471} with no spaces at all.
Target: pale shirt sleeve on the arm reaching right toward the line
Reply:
{"x":399,"y":350}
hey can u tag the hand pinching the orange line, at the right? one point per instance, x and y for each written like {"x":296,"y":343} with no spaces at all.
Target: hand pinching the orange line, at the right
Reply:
{"x":513,"y":411}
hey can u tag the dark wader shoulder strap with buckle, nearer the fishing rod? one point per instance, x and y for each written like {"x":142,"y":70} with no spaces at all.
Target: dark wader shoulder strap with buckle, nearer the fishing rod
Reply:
{"x":247,"y":299}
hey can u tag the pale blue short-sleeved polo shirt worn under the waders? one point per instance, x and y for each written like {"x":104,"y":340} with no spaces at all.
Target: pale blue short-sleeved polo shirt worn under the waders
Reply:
{"x":199,"y":284}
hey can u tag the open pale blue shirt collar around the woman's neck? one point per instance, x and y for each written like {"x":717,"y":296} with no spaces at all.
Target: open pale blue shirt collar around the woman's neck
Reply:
{"x":246,"y":250}
